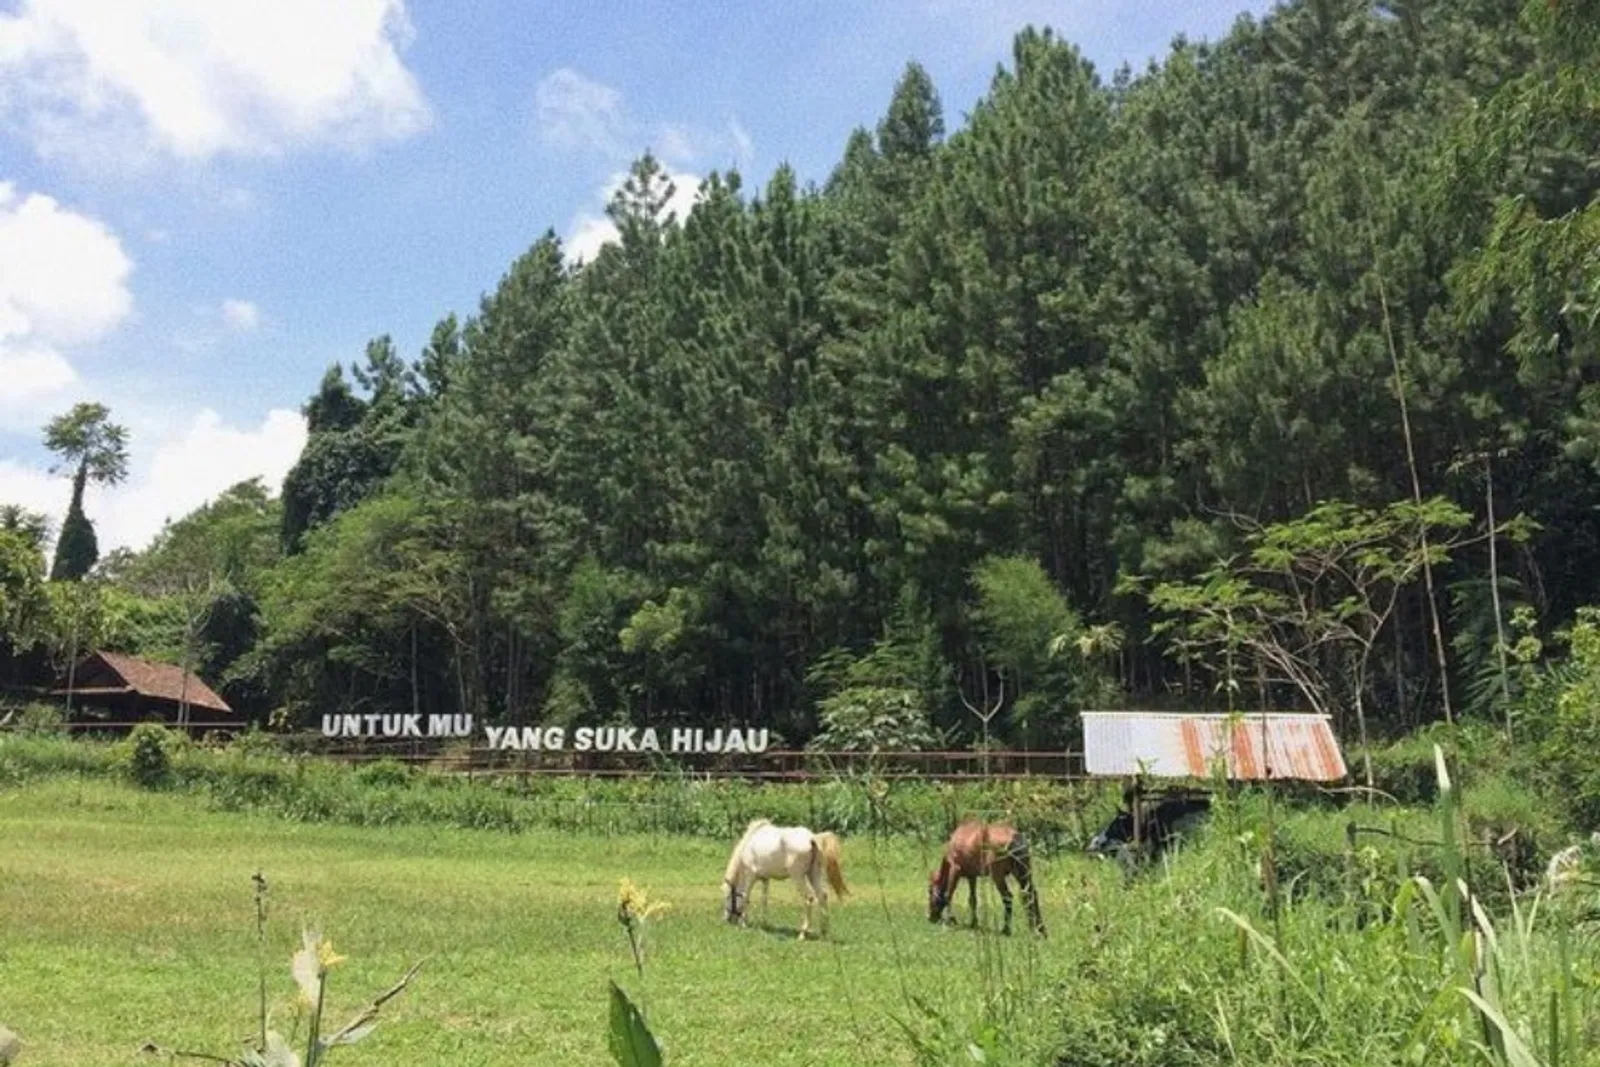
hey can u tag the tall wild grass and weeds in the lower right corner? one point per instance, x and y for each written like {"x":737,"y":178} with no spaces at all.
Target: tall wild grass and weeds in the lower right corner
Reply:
{"x":1415,"y":949}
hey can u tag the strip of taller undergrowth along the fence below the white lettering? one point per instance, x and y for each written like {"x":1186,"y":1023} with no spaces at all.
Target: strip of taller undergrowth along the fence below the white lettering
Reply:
{"x":250,"y":777}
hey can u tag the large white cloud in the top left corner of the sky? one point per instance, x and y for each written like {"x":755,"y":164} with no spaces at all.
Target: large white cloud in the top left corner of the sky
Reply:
{"x":202,"y":78}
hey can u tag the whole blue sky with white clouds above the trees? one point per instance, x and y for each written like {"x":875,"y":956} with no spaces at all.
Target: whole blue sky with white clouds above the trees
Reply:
{"x":204,"y":204}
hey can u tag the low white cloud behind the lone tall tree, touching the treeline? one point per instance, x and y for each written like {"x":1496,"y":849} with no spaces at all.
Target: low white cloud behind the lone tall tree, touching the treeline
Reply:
{"x":169,"y":476}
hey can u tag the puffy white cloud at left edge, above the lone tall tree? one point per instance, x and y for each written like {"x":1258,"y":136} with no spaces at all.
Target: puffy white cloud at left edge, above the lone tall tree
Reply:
{"x":63,"y":281}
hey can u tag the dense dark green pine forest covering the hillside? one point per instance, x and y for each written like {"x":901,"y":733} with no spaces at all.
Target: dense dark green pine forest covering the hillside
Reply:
{"x":828,"y":458}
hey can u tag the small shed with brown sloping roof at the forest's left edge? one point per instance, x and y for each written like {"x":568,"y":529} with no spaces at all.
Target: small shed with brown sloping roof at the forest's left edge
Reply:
{"x":126,"y":690}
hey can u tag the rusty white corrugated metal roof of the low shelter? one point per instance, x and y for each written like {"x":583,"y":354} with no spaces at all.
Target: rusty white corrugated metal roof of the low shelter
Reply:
{"x":1188,"y":746}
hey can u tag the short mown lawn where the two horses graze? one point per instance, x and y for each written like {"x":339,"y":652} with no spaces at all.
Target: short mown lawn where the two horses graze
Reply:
{"x":127,"y":917}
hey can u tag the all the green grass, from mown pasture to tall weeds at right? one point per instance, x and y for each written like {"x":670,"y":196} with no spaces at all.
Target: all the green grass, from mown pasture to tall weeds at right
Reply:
{"x":127,"y":917}
